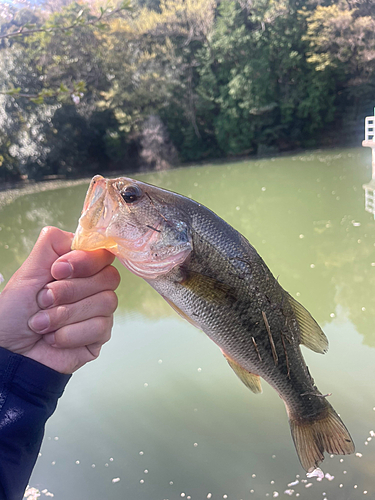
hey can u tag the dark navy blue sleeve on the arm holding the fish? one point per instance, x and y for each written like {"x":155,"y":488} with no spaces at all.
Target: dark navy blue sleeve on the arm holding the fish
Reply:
{"x":28,"y":396}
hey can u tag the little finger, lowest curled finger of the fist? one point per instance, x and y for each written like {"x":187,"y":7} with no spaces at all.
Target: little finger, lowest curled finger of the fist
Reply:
{"x":93,"y":332}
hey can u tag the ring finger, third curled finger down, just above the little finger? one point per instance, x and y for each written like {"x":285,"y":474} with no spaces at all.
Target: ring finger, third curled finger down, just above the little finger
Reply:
{"x":50,"y":320}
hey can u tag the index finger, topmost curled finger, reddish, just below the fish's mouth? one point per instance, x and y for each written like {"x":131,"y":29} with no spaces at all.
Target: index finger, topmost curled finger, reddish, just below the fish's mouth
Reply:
{"x":80,"y":264}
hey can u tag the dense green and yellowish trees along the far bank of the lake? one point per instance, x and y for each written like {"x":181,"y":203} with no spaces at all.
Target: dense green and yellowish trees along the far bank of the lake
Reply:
{"x":88,"y":87}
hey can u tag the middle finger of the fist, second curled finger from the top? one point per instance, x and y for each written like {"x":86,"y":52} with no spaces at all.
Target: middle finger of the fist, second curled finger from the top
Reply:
{"x":73,"y":290}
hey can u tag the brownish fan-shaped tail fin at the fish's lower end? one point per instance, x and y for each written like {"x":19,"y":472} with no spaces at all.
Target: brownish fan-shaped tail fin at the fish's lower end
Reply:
{"x":314,"y":437}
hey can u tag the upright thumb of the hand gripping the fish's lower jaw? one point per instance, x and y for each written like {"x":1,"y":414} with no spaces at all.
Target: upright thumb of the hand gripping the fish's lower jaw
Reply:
{"x":51,"y":244}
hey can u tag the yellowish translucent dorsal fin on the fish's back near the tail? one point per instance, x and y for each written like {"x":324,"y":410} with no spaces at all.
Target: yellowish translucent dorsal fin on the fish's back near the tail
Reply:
{"x":311,"y":335}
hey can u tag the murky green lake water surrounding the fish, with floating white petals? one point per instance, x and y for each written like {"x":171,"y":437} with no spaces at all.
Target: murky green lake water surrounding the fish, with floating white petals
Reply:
{"x":160,"y":415}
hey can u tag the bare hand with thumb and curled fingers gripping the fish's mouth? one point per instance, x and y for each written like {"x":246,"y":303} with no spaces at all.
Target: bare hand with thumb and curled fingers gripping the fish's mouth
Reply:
{"x":71,"y":291}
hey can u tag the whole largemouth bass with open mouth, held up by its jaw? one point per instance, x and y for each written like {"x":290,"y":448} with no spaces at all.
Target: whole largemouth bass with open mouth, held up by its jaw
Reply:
{"x":213,"y":277}
